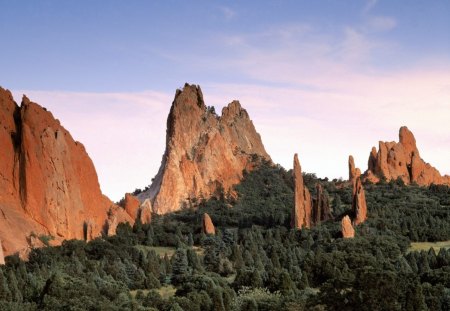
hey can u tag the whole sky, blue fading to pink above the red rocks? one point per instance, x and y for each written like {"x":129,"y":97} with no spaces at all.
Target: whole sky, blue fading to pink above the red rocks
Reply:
{"x":323,"y":79}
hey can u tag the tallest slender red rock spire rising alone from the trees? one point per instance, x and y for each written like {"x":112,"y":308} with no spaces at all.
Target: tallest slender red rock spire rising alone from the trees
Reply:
{"x":301,"y":213}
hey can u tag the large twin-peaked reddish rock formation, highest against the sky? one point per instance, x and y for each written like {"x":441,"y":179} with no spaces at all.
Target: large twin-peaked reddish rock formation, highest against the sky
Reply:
{"x":205,"y":153}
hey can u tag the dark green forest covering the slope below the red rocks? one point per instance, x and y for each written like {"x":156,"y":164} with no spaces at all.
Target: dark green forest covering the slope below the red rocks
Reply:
{"x":255,"y":261}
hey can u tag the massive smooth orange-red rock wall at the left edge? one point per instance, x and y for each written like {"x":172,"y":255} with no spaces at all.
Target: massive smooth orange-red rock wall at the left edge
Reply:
{"x":48,"y":183}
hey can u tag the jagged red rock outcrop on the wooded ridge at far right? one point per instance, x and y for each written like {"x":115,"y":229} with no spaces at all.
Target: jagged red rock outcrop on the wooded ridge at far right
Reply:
{"x":402,"y":160}
